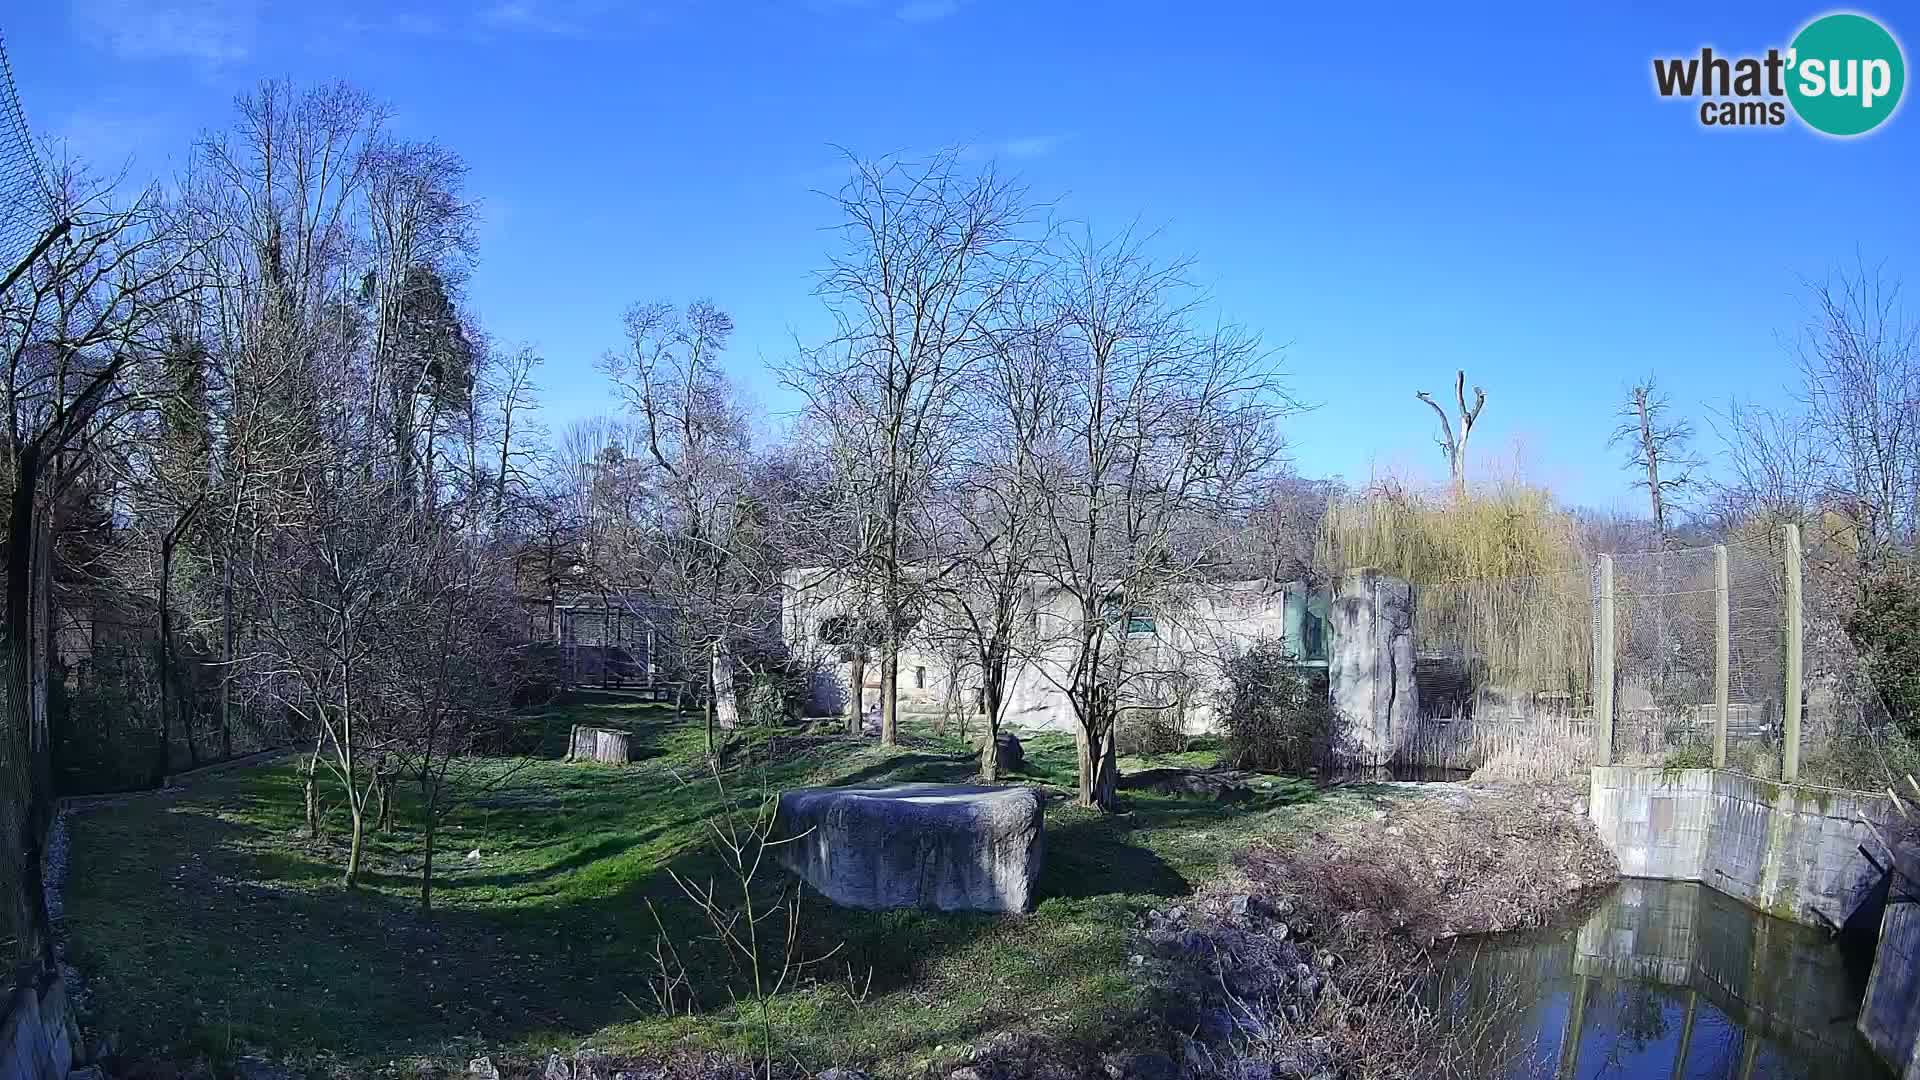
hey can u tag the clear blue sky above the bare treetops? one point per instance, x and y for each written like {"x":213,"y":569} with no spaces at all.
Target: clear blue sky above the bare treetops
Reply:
{"x":1387,"y":191}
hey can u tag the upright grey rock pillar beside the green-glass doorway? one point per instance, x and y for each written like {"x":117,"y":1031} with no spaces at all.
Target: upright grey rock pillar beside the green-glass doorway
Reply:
{"x":1372,"y":666}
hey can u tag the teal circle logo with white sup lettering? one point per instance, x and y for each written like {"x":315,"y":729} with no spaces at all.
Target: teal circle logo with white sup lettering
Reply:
{"x":1846,"y":74}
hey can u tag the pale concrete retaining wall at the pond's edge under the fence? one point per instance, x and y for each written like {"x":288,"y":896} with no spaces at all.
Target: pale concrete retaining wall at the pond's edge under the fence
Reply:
{"x":1785,"y":850}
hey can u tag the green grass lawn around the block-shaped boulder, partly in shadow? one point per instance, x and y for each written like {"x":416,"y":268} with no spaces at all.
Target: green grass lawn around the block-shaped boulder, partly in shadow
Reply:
{"x":208,"y":925}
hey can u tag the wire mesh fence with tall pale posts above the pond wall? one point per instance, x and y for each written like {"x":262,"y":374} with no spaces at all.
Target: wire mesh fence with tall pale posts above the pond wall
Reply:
{"x":1635,"y":660}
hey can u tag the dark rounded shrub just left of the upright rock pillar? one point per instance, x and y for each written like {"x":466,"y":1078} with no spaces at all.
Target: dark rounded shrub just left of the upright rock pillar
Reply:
{"x":1276,"y":714}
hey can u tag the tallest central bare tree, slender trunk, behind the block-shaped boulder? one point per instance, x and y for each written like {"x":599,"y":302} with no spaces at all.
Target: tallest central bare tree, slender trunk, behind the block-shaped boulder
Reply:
{"x":915,"y":293}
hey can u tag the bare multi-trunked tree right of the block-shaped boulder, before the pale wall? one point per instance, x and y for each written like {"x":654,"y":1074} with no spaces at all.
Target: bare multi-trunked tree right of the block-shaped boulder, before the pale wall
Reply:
{"x":1159,"y":441}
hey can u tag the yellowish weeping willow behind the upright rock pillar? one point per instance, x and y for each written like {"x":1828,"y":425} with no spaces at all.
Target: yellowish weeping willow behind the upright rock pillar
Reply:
{"x":1500,"y":579}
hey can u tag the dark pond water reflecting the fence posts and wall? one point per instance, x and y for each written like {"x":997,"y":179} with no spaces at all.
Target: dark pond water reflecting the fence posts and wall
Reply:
{"x":1664,"y":981}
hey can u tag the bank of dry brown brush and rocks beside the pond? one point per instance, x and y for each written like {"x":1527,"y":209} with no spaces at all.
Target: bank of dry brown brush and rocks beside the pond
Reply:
{"x":1310,"y":960}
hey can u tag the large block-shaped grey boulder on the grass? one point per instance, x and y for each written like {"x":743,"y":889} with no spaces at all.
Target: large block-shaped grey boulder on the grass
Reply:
{"x":940,"y":847}
